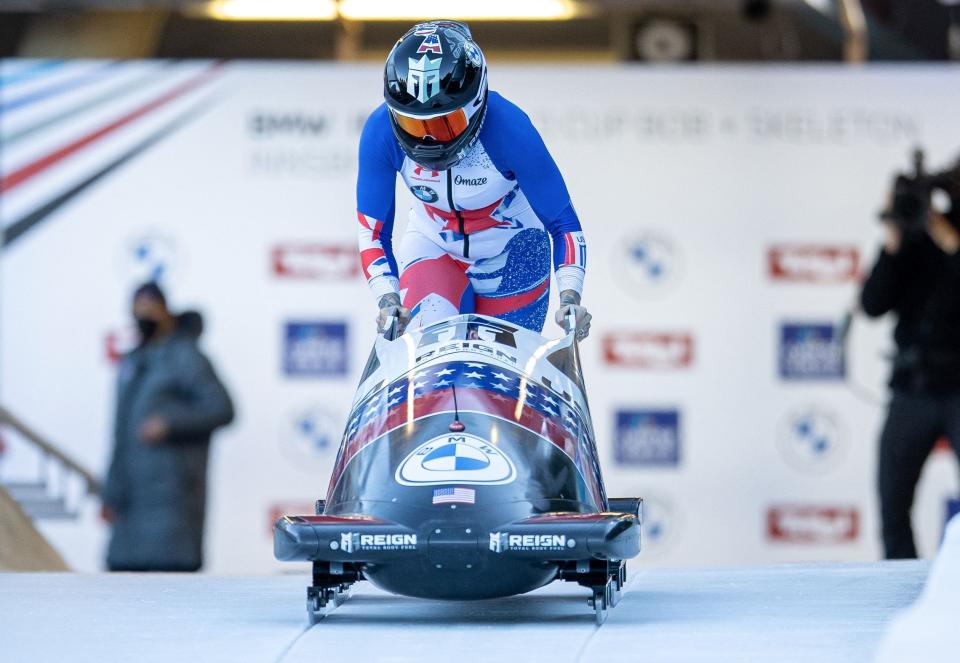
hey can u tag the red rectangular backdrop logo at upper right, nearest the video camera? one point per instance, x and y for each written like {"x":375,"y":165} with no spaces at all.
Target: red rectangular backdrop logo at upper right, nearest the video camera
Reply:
{"x":807,"y":263}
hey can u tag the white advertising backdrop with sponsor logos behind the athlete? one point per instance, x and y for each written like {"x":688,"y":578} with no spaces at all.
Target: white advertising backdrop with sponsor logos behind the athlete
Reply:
{"x":729,"y":214}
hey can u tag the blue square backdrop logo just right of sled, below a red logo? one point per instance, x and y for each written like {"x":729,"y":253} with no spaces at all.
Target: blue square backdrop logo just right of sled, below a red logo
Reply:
{"x":647,"y":438}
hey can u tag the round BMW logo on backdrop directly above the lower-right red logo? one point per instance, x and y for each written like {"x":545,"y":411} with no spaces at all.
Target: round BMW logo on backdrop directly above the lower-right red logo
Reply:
{"x":810,"y":440}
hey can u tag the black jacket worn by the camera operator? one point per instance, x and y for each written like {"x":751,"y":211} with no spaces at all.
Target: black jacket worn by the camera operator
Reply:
{"x":921,"y":285}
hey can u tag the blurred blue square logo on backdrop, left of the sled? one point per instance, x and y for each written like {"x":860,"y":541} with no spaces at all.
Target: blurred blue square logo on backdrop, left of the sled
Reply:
{"x":315,"y":349}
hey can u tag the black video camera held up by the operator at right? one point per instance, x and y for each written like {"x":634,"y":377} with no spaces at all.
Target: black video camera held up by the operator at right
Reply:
{"x":913,"y":195}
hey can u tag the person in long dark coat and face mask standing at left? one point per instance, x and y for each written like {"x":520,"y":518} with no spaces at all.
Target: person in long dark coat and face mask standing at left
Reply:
{"x":169,"y":402}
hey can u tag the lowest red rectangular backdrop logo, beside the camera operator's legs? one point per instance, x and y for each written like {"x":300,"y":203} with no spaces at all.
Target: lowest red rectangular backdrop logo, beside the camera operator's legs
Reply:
{"x":812,"y":524}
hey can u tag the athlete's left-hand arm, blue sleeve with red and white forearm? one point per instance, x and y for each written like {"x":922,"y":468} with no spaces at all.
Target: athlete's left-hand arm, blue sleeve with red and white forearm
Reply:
{"x":379,"y":161}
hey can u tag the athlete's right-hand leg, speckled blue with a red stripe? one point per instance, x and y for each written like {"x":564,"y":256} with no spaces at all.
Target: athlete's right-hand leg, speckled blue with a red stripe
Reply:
{"x":515,"y":285}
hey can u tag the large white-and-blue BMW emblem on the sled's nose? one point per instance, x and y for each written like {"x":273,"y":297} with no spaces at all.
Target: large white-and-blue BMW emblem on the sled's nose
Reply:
{"x":458,"y":458}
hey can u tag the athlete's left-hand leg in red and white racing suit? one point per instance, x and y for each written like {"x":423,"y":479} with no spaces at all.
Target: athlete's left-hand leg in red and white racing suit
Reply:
{"x":432,"y":284}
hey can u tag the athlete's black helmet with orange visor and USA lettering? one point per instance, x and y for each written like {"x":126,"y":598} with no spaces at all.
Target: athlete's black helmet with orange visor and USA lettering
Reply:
{"x":435,"y":84}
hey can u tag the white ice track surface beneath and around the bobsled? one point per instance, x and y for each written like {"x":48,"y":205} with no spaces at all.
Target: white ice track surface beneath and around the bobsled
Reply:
{"x":820,"y":613}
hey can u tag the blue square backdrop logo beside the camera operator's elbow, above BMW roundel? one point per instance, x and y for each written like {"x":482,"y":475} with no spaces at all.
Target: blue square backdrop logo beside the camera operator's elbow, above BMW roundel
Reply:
{"x":810,"y":351}
